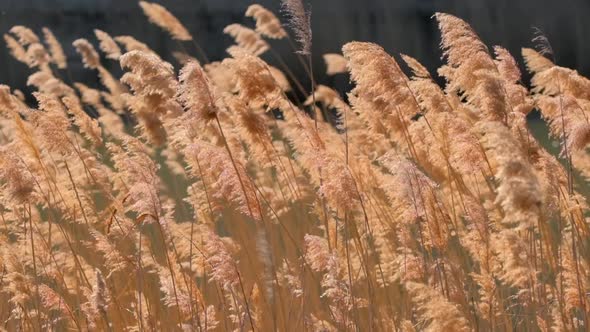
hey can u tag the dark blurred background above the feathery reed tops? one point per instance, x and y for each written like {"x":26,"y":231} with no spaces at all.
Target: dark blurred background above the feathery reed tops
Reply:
{"x":400,"y":26}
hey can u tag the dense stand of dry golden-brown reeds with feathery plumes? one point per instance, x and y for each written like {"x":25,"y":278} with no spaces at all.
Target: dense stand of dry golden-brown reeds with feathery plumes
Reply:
{"x":216,"y":199}
